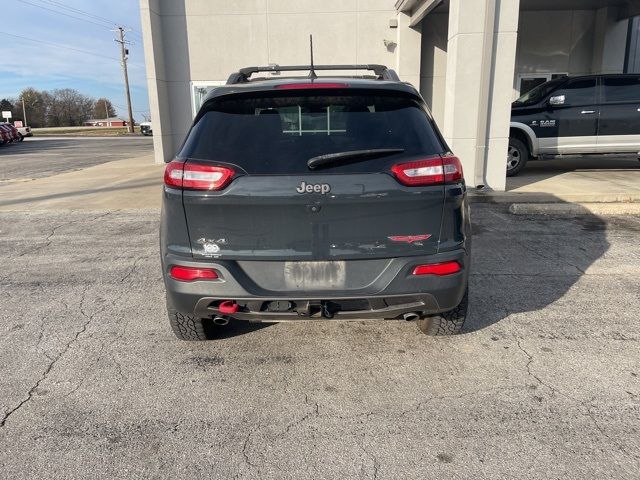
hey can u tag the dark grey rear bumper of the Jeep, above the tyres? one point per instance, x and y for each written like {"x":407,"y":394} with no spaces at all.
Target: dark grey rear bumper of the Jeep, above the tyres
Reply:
{"x":394,"y":292}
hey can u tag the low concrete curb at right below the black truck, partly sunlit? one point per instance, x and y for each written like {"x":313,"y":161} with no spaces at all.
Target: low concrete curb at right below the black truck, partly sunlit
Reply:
{"x":559,"y":209}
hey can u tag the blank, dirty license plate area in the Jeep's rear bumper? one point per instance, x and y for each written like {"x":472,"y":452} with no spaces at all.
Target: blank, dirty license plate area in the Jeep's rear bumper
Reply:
{"x":315,"y":275}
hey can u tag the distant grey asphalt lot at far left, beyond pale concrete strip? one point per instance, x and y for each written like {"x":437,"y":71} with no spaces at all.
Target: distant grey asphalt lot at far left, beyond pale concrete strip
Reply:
{"x":40,"y":157}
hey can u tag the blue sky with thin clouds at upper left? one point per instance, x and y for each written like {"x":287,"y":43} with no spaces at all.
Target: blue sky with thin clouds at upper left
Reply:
{"x":25,"y":63}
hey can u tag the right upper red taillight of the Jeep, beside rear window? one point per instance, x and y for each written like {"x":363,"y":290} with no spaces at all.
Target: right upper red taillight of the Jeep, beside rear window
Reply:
{"x":431,"y":171}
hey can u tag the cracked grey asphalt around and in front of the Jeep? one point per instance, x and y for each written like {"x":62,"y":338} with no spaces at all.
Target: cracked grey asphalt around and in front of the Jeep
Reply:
{"x":544,"y":384}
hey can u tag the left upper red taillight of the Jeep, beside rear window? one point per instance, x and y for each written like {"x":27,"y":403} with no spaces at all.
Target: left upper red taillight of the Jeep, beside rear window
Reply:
{"x":197,"y":176}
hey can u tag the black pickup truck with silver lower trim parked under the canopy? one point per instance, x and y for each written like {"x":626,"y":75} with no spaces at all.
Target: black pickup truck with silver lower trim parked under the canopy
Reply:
{"x":591,"y":114}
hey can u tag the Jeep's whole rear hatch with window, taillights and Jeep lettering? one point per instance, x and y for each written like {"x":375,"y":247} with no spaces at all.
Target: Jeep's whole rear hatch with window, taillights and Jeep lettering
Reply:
{"x":331,"y":173}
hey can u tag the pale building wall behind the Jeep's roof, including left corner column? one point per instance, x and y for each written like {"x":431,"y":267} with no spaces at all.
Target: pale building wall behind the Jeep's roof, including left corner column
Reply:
{"x":206,"y":40}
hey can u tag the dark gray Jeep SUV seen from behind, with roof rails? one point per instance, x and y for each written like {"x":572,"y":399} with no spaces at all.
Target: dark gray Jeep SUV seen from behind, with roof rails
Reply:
{"x":314,"y":198}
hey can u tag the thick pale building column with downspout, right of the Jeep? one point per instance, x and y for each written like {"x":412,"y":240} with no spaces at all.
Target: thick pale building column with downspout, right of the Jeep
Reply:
{"x":481,"y":48}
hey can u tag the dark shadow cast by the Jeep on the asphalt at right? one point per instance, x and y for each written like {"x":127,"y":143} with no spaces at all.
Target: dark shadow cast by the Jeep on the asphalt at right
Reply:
{"x":514,"y":256}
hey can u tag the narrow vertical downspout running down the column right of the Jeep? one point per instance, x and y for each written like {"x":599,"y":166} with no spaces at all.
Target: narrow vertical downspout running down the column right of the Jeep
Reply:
{"x":486,"y":83}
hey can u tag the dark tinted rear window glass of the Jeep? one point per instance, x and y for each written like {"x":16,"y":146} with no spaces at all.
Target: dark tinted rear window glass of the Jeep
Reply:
{"x":279,"y":134}
